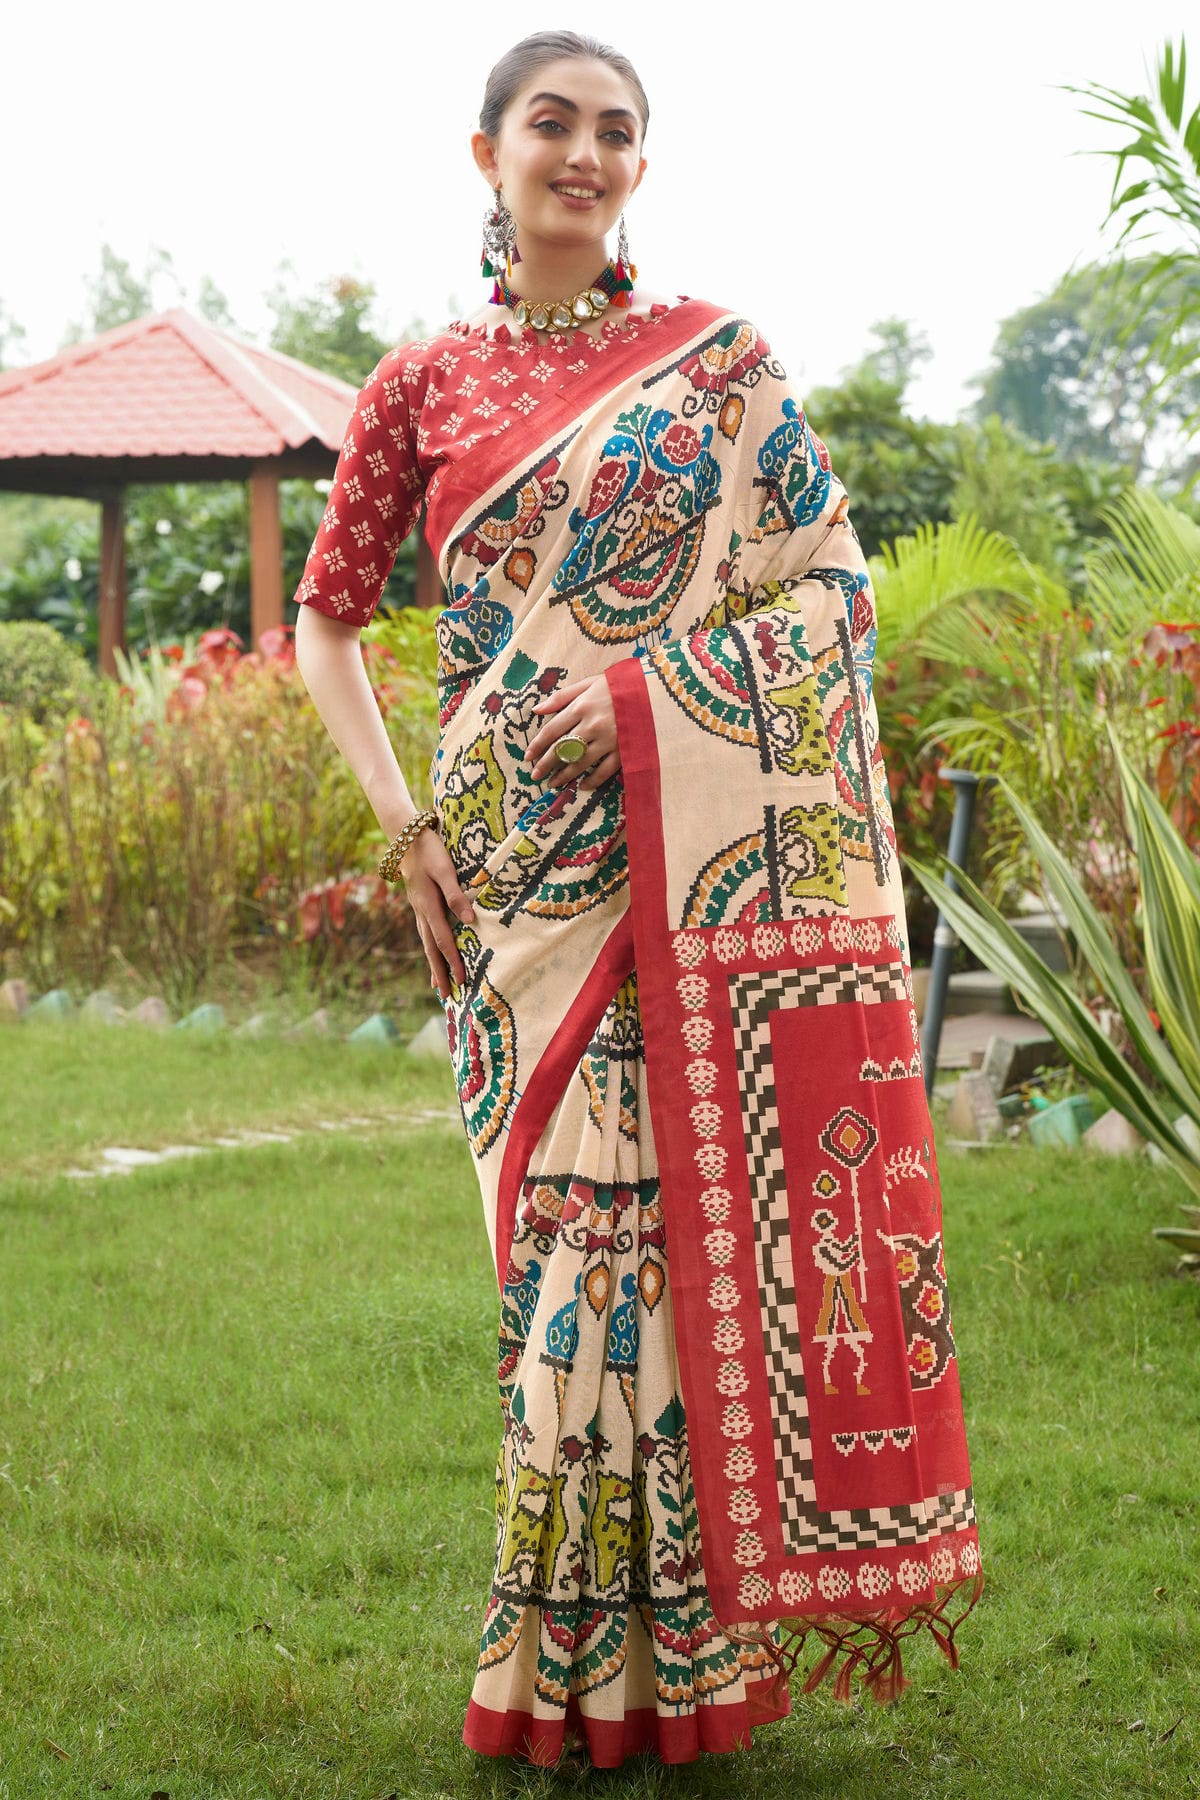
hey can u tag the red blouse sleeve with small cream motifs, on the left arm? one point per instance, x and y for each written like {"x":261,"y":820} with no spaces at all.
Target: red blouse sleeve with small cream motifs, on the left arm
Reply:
{"x":373,"y":503}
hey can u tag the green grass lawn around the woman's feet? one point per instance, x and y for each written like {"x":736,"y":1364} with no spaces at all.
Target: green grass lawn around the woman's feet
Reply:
{"x":249,"y":1428}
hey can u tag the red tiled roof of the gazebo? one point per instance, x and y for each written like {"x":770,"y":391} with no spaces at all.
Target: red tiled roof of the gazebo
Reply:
{"x":170,"y":388}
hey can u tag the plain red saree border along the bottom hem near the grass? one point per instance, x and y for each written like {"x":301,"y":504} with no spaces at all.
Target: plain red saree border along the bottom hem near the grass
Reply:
{"x":717,"y":1729}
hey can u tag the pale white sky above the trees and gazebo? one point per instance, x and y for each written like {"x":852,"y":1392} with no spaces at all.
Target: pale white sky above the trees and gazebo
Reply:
{"x":816,"y":168}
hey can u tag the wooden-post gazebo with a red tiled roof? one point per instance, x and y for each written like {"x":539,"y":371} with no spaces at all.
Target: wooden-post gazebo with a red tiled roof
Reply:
{"x":174,"y":399}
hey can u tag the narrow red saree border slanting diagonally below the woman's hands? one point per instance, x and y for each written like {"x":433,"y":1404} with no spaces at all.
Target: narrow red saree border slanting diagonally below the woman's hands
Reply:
{"x":555,"y":1068}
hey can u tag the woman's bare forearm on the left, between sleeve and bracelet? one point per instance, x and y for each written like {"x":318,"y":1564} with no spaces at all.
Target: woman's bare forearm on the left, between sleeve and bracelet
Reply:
{"x":330,"y":660}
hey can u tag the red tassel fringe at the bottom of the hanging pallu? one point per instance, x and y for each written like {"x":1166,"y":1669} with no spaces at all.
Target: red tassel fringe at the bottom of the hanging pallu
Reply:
{"x":868,"y":1646}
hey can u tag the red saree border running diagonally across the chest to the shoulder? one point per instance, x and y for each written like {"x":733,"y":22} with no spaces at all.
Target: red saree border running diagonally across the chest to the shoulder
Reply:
{"x":636,"y":348}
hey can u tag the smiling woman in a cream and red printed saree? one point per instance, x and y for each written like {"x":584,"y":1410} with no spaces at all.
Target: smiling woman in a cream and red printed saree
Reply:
{"x":661,"y":903}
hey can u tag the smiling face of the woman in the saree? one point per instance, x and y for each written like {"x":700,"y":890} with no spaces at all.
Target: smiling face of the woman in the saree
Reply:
{"x":568,"y":154}
